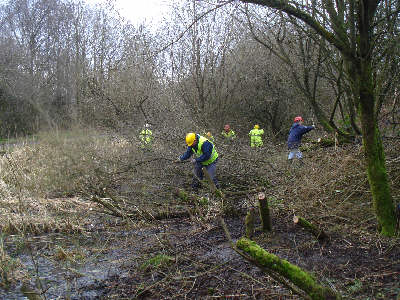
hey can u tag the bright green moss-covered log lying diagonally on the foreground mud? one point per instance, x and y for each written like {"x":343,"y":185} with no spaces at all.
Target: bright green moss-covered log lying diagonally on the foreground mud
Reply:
{"x":293,"y":273}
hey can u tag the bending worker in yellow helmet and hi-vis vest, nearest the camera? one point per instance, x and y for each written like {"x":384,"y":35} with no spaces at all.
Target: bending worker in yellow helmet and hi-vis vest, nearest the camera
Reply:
{"x":206,"y":156}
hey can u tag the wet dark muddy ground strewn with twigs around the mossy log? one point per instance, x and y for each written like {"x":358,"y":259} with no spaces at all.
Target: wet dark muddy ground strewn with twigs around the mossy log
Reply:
{"x":197,"y":262}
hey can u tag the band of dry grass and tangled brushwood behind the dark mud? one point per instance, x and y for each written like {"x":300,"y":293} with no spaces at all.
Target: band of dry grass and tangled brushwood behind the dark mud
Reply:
{"x":49,"y":186}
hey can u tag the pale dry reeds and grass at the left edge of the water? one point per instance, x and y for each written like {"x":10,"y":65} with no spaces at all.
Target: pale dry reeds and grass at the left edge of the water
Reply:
{"x":40,"y":181}
